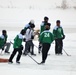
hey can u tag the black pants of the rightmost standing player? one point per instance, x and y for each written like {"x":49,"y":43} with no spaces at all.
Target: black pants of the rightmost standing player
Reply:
{"x":58,"y":46}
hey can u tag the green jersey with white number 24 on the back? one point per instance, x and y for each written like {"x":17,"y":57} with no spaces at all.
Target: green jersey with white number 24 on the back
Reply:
{"x":46,"y":37}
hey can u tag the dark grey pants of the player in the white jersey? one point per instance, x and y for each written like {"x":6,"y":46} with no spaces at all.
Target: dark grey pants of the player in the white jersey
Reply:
{"x":29,"y":45}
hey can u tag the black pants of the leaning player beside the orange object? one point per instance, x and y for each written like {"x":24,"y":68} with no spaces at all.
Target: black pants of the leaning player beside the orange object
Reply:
{"x":14,"y":53}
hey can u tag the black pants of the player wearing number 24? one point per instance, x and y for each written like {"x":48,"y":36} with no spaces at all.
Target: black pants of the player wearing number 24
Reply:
{"x":45,"y":49}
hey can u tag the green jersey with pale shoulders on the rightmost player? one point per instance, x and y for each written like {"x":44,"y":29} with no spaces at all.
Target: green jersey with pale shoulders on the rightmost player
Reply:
{"x":58,"y":32}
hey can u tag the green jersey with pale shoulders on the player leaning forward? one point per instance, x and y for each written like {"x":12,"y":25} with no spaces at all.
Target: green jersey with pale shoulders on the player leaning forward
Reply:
{"x":18,"y":41}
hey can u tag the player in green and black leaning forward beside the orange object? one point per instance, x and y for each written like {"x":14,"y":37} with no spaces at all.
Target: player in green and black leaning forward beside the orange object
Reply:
{"x":18,"y":47}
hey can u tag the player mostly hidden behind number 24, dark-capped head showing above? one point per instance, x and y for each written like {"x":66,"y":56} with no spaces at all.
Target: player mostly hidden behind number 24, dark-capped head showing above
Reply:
{"x":42,"y":28}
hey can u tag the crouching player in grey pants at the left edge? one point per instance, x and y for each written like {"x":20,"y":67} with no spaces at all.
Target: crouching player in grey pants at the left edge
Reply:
{"x":3,"y":41}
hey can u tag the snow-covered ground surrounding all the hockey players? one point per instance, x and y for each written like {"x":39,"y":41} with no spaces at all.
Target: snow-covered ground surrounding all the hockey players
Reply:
{"x":14,"y":19}
